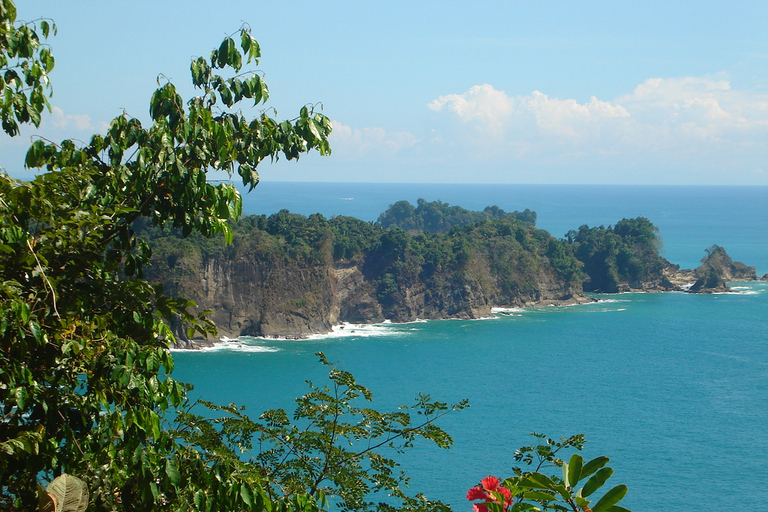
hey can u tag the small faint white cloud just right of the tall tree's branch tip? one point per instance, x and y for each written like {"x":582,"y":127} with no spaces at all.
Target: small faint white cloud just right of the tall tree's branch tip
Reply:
{"x":348,"y":141}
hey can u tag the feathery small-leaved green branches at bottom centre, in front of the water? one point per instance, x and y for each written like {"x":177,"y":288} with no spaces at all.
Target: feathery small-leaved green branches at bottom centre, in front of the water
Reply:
{"x":331,"y":449}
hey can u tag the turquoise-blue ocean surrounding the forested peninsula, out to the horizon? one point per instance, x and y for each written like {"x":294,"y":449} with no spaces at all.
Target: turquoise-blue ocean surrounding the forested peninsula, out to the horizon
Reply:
{"x":671,"y":386}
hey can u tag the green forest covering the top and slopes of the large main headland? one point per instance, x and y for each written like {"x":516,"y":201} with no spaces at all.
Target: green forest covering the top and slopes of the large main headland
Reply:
{"x":504,"y":256}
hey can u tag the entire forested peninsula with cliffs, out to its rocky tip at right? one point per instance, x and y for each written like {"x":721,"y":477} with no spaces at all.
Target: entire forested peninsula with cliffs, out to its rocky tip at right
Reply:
{"x":289,"y":275}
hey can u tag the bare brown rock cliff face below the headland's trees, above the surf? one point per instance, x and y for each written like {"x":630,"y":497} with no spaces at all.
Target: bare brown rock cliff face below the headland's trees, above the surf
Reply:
{"x":263,"y":294}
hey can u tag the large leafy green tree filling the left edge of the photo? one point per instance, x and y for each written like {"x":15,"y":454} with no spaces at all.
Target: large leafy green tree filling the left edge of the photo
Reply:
{"x":84,"y":360}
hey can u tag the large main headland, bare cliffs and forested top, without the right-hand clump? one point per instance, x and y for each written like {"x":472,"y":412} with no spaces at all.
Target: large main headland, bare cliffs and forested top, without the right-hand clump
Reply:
{"x":292,"y":276}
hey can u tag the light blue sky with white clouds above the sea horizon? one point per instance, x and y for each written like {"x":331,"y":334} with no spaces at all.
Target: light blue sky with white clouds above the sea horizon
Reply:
{"x":590,"y":92}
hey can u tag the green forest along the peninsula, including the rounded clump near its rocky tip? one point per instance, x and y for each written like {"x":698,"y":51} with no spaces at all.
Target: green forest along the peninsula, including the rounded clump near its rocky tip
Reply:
{"x":508,"y":255}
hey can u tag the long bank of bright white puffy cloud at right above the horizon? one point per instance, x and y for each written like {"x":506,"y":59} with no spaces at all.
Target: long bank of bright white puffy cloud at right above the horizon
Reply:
{"x":690,"y":114}
